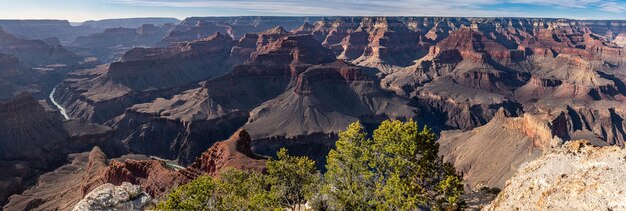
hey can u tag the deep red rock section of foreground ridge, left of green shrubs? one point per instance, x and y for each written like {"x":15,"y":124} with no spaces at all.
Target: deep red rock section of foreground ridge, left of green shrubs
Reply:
{"x":157,"y":178}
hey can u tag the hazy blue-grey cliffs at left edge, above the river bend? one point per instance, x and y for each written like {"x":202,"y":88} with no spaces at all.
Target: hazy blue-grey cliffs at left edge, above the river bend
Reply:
{"x":34,"y":66}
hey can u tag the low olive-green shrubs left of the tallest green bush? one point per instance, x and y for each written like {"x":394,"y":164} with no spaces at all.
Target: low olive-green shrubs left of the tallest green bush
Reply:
{"x":288,"y":183}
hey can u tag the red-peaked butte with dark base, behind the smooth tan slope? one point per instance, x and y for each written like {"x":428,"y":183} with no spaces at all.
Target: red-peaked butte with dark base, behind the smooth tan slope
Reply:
{"x":460,"y":83}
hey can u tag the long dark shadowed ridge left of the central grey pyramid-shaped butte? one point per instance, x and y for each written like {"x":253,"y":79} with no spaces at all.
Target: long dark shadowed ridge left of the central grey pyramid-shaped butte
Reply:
{"x":181,"y":127}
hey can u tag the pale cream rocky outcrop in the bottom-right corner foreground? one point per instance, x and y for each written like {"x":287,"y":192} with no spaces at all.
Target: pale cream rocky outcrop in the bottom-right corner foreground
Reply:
{"x":575,"y":176}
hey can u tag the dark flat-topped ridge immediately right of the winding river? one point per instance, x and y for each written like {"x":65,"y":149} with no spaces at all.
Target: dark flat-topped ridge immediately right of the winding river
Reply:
{"x":143,"y":75}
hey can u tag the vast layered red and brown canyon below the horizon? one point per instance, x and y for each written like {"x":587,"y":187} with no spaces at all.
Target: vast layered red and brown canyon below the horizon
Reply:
{"x":214,"y":92}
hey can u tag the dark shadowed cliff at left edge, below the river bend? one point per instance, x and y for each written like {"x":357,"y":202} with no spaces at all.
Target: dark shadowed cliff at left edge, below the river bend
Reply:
{"x":34,"y":140}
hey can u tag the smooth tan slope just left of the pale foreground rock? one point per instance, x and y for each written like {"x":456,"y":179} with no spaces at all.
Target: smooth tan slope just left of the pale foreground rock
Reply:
{"x":489,"y":155}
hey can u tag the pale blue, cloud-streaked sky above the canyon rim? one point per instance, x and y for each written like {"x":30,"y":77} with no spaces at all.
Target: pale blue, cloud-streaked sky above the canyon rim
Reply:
{"x":82,"y":10}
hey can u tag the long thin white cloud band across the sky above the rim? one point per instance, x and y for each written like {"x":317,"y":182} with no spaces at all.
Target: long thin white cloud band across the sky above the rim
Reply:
{"x":339,"y":7}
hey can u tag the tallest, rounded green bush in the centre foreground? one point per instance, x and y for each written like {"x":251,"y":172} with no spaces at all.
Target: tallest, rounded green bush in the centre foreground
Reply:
{"x":397,"y":169}
